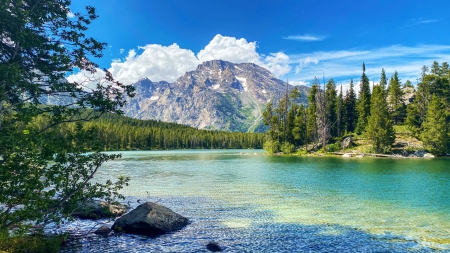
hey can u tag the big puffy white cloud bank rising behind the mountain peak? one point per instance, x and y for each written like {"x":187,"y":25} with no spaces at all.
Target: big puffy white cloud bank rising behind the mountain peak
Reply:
{"x":168,"y":63}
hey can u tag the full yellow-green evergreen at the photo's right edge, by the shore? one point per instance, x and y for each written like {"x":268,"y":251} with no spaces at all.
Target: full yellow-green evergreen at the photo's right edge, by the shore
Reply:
{"x":436,"y":128}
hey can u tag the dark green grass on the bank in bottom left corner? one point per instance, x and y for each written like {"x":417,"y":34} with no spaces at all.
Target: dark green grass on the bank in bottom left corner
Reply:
{"x":30,"y":243}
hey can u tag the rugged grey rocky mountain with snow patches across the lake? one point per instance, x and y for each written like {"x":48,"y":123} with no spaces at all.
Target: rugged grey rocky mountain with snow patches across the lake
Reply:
{"x":217,"y":95}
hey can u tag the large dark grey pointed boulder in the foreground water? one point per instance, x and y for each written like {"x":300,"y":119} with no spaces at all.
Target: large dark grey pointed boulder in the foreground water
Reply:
{"x":150,"y":219}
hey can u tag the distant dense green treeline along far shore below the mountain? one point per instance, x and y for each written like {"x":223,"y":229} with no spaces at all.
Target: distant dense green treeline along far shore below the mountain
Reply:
{"x":114,"y":132}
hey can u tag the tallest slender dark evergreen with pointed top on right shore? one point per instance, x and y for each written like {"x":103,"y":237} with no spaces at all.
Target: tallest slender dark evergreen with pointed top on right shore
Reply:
{"x":363,"y":105}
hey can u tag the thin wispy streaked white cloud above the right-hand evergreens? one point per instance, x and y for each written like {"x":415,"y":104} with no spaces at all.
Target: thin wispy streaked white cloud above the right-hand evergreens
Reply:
{"x":346,"y":64}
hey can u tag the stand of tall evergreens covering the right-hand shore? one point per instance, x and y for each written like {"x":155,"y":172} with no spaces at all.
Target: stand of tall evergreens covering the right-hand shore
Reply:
{"x":371,"y":114}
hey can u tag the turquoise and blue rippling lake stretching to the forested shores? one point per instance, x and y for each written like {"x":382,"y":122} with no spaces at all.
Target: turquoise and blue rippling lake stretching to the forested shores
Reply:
{"x":247,"y":201}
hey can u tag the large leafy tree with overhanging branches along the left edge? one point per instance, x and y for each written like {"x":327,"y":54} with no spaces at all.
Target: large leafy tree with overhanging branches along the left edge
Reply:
{"x":45,"y":172}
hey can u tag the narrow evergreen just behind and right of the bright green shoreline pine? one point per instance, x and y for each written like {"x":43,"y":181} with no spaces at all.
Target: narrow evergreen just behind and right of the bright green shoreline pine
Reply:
{"x":395,"y":99}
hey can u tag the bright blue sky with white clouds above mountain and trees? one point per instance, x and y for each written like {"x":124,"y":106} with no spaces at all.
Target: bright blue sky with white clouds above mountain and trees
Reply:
{"x":295,"y":40}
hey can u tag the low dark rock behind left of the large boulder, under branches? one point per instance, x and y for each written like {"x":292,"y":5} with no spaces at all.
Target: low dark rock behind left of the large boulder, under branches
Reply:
{"x":100,"y":209}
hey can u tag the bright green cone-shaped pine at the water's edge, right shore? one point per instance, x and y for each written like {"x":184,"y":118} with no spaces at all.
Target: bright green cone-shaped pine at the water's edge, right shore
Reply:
{"x":379,"y":129}
